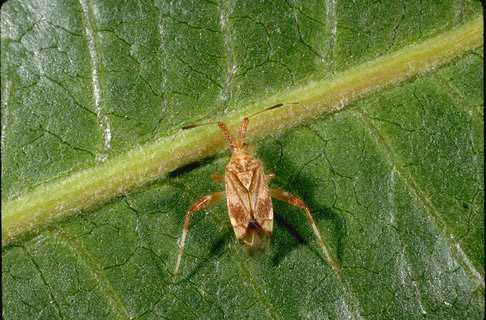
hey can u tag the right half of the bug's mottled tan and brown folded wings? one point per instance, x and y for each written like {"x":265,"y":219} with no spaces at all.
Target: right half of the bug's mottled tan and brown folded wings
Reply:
{"x":260,"y":200}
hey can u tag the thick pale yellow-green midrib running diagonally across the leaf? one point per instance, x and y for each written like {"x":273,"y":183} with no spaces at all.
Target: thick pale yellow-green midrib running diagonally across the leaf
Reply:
{"x":92,"y":186}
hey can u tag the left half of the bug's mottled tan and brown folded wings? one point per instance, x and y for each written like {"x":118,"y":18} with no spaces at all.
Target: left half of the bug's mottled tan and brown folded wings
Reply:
{"x":238,"y":203}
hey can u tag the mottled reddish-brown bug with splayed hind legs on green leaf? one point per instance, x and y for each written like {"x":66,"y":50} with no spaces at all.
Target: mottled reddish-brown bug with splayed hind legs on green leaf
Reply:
{"x":249,"y":199}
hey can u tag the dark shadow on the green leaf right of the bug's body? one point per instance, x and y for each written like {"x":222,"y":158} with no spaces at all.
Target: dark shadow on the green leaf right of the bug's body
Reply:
{"x":292,"y":220}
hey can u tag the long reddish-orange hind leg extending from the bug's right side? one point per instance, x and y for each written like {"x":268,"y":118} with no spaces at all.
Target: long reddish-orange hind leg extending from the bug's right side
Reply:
{"x":293,"y":200}
